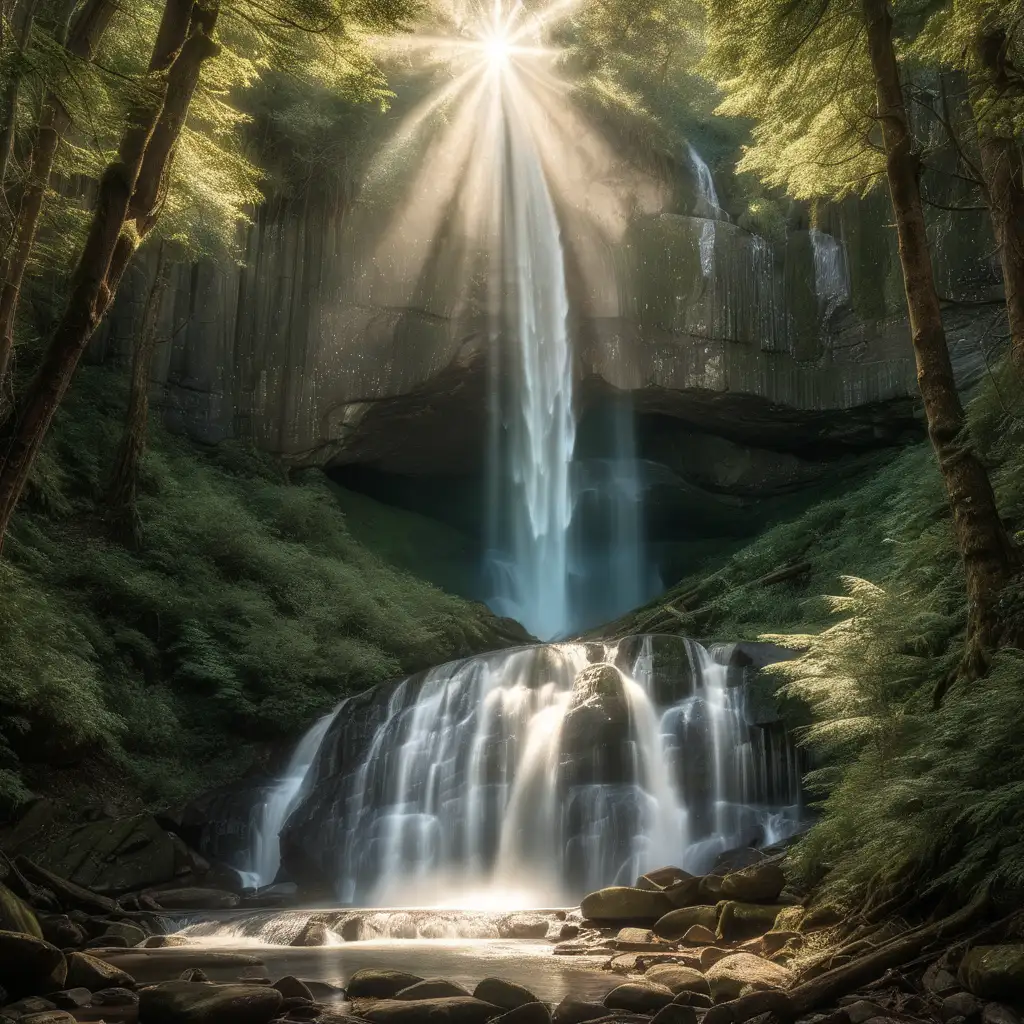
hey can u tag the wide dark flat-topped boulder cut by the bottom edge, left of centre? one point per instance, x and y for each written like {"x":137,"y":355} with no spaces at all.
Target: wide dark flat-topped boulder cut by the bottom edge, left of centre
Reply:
{"x":187,"y":1003}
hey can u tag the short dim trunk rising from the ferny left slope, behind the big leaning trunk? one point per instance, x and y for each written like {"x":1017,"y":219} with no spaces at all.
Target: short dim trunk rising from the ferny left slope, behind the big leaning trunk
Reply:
{"x":121,"y":493}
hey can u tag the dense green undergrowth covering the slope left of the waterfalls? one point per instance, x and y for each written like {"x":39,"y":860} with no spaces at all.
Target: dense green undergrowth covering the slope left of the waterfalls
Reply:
{"x":249,"y":610}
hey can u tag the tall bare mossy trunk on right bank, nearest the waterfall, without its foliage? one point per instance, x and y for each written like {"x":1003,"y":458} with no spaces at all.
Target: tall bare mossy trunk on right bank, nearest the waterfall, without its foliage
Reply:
{"x":990,"y":558}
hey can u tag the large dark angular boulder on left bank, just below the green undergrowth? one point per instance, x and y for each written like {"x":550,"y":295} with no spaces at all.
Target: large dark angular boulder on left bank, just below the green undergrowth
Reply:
{"x":111,"y":858}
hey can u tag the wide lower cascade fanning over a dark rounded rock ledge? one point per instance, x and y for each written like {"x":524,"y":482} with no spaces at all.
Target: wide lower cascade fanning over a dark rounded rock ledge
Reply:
{"x":531,"y":777}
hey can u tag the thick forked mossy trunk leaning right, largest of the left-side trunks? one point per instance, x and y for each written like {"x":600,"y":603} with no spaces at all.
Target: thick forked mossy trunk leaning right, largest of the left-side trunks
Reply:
{"x":125,"y":212}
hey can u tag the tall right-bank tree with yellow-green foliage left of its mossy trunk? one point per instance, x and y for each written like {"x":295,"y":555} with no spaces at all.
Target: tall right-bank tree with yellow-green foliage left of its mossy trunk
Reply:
{"x":824,"y":81}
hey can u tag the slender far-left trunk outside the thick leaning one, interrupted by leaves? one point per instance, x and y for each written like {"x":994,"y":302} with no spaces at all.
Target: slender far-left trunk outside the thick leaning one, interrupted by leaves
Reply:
{"x":90,"y":28}
